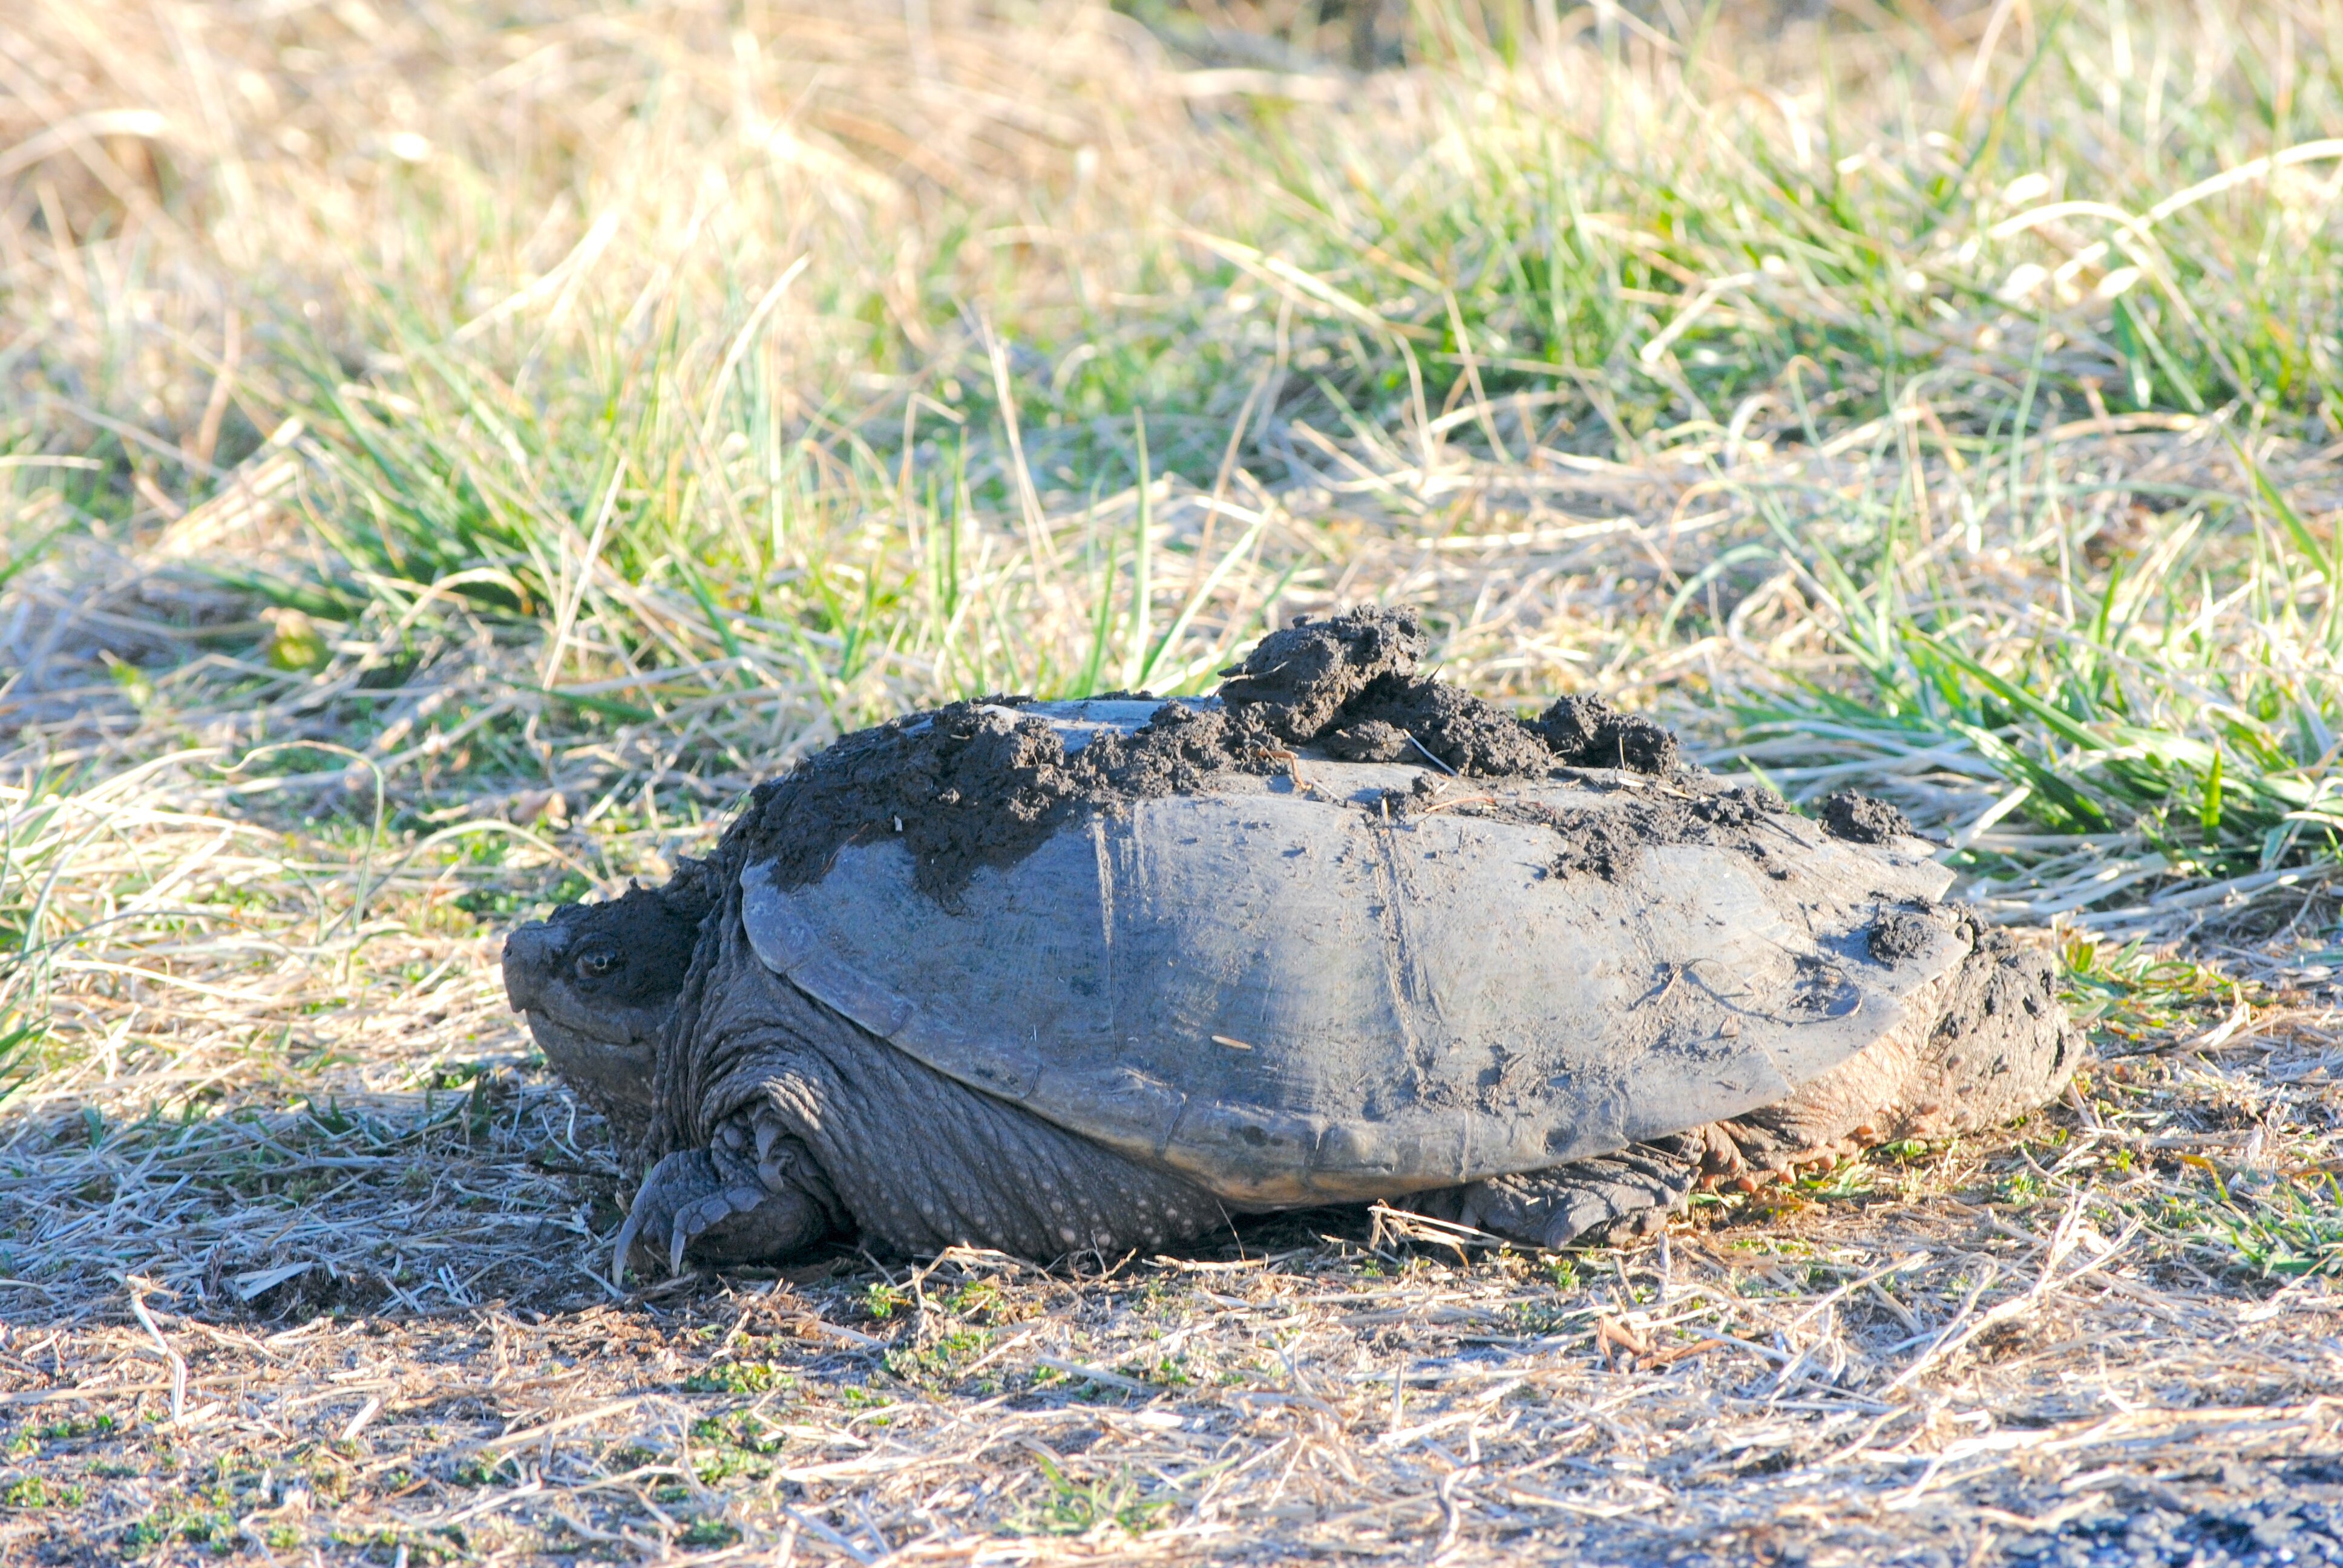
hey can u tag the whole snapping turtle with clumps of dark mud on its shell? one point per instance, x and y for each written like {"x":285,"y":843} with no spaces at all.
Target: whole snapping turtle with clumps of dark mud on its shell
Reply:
{"x":1102,"y":974}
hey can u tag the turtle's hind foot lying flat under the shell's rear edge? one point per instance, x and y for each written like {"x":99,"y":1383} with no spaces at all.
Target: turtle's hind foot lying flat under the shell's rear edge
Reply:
{"x":1606,"y":1201}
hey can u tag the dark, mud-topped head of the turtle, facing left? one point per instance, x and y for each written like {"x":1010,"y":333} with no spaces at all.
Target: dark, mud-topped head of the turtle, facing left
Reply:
{"x":596,"y":986}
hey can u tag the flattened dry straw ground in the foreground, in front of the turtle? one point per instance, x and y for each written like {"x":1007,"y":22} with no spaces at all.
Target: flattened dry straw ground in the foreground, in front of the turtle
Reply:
{"x":2033,"y":1351}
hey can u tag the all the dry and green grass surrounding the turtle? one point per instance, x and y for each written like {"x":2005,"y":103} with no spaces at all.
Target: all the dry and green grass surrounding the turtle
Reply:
{"x":524,"y":519}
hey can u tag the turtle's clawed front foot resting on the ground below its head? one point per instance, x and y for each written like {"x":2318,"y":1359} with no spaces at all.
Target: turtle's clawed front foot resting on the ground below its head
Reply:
{"x":751,"y":1197}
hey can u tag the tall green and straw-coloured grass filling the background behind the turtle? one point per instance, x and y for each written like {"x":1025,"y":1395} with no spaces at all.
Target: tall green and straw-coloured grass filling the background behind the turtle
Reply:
{"x":617,"y":402}
